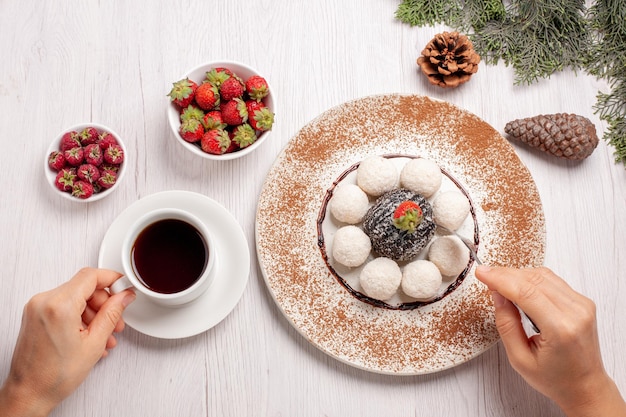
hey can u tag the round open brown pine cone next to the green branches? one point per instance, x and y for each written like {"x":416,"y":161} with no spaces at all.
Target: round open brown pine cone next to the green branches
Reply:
{"x":449,"y":59}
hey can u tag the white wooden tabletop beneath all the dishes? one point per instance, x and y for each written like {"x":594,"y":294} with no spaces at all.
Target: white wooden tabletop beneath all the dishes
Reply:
{"x":113,"y":62}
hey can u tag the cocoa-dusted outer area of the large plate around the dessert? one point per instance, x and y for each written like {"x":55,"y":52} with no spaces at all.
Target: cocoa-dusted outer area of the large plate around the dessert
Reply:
{"x":430,"y":338}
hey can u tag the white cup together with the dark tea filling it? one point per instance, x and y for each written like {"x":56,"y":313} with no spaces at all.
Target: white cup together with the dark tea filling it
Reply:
{"x":167,"y":255}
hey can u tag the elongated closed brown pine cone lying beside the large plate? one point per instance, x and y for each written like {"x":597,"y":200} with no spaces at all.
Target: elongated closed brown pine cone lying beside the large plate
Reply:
{"x":564,"y":135}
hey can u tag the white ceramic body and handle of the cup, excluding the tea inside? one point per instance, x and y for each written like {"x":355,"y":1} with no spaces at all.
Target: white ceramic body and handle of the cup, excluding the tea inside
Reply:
{"x":130,"y":278}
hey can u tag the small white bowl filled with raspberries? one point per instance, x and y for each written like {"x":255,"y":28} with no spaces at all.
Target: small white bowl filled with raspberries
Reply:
{"x":85,"y":162}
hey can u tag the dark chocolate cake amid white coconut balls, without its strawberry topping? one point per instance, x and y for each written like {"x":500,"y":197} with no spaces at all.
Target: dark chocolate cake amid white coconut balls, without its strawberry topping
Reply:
{"x":387,"y":239}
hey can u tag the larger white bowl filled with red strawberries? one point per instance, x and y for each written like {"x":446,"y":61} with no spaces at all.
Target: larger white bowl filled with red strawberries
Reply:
{"x":221,"y":110}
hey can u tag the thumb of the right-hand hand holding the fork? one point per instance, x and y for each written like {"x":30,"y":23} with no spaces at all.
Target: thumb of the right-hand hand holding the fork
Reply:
{"x":511,"y":331}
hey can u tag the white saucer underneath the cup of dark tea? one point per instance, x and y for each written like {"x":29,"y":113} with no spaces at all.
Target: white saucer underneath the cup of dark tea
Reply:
{"x":231,"y":269}
